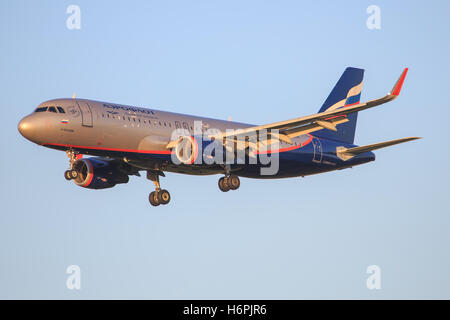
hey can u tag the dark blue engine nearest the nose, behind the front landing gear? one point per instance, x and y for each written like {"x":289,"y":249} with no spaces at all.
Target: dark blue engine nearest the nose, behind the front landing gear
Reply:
{"x":97,"y":173}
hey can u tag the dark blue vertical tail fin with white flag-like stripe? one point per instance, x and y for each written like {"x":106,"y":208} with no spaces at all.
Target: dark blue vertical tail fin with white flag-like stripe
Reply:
{"x":347,"y":91}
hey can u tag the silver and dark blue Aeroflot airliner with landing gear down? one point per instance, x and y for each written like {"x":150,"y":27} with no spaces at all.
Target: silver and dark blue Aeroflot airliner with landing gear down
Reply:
{"x":123,"y":140}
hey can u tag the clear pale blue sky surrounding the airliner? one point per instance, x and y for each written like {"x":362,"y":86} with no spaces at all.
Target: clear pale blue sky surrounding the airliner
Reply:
{"x":258,"y":62}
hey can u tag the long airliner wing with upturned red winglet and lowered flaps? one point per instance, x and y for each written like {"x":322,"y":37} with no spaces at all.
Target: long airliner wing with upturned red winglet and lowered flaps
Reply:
{"x":324,"y":120}
